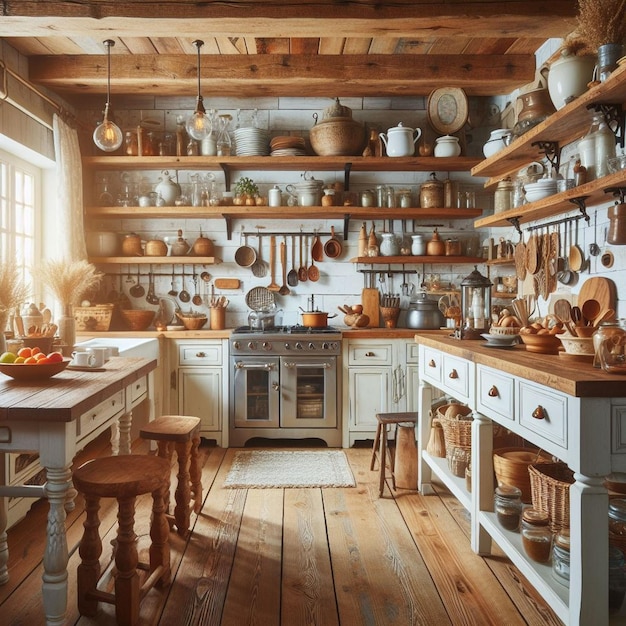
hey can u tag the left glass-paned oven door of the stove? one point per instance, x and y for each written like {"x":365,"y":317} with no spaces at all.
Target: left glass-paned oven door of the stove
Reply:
{"x":254,"y":392}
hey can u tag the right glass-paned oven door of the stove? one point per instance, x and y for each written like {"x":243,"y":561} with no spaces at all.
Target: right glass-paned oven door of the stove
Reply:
{"x":308,"y":392}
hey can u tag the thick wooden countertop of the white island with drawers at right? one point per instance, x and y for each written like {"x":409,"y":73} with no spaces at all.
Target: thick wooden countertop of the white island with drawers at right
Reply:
{"x":575,"y":379}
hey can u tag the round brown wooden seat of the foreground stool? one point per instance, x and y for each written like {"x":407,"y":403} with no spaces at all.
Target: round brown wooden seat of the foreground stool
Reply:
{"x":122,"y":476}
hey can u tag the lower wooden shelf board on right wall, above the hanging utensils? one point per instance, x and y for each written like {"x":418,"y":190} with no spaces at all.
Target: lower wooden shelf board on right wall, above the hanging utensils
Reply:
{"x":594,"y":192}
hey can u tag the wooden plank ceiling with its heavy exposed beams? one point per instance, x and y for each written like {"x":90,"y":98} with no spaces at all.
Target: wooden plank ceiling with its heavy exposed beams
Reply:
{"x":283,"y":47}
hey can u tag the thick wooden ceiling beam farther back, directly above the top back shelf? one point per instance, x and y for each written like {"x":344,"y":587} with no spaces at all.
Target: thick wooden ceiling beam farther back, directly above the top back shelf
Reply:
{"x":289,"y":75}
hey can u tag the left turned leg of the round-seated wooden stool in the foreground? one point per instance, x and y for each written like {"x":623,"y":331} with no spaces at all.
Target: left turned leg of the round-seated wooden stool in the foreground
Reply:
{"x":90,"y":550}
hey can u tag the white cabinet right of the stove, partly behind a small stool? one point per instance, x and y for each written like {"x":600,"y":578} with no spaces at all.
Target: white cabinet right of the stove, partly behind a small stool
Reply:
{"x":380,"y":376}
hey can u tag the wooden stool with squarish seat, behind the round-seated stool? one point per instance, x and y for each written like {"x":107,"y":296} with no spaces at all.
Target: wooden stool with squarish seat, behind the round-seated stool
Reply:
{"x":182,"y":433}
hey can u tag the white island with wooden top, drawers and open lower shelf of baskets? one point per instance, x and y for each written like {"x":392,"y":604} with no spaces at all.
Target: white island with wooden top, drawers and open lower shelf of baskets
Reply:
{"x":573,"y":411}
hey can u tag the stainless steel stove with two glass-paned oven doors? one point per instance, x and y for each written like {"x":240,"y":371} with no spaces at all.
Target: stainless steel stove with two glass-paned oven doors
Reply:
{"x":285,"y":384}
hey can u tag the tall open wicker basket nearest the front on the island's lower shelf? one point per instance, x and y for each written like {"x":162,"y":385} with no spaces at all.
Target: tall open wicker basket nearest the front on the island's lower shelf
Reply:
{"x":549,"y":486}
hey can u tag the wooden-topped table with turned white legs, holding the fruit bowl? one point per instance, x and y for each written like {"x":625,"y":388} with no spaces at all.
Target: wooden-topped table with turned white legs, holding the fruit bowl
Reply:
{"x":56,"y":418}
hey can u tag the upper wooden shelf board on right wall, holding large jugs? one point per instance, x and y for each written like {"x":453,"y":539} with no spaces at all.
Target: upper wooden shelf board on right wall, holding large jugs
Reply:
{"x":564,"y":126}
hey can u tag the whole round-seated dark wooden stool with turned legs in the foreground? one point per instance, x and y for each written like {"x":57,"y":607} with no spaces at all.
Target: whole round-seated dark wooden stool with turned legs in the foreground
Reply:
{"x":124,"y":478}
